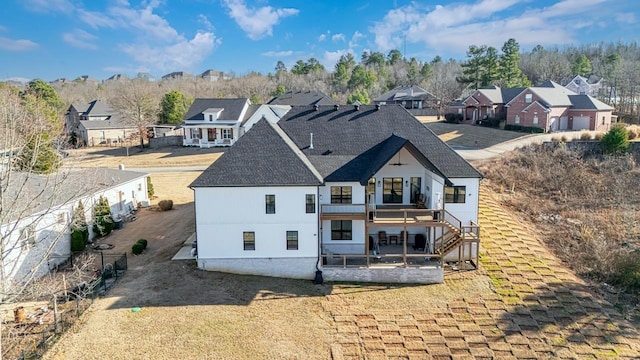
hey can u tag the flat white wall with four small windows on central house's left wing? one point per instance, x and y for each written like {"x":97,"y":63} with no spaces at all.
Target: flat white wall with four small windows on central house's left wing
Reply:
{"x":223,"y":214}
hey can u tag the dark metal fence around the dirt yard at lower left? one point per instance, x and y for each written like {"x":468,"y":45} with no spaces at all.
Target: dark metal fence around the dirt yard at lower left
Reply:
{"x":38,"y":324}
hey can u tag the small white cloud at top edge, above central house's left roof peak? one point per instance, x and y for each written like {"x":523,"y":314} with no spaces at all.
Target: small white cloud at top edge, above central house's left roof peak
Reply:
{"x":256,"y":22}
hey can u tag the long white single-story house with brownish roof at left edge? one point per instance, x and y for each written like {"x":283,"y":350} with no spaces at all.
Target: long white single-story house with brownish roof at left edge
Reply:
{"x":36,"y":237}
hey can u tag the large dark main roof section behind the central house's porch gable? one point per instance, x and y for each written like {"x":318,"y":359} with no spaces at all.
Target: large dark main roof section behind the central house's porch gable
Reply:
{"x":347,"y":132}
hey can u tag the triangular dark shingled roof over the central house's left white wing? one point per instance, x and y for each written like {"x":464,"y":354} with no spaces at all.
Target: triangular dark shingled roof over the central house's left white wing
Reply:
{"x":263,"y":156}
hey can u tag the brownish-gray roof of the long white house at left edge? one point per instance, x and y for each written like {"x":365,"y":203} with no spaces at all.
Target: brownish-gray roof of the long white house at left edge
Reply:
{"x":48,"y":191}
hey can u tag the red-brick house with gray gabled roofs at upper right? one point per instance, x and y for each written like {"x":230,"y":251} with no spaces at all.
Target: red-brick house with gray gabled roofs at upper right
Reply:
{"x":548,"y":106}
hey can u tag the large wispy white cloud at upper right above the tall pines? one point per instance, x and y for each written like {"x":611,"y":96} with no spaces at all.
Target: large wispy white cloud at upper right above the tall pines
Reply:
{"x":452,"y":28}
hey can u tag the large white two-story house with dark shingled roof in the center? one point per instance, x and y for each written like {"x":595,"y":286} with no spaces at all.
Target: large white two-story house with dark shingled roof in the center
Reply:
{"x":325,"y":186}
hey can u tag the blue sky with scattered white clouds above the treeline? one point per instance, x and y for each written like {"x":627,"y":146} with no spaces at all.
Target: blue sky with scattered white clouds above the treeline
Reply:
{"x":51,"y":39}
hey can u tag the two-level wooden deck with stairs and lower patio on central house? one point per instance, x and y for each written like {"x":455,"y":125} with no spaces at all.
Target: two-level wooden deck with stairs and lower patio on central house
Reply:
{"x":402,"y":243}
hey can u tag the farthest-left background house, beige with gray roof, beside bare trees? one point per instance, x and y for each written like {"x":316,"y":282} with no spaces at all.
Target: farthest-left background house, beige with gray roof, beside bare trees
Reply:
{"x":97,"y":123}
